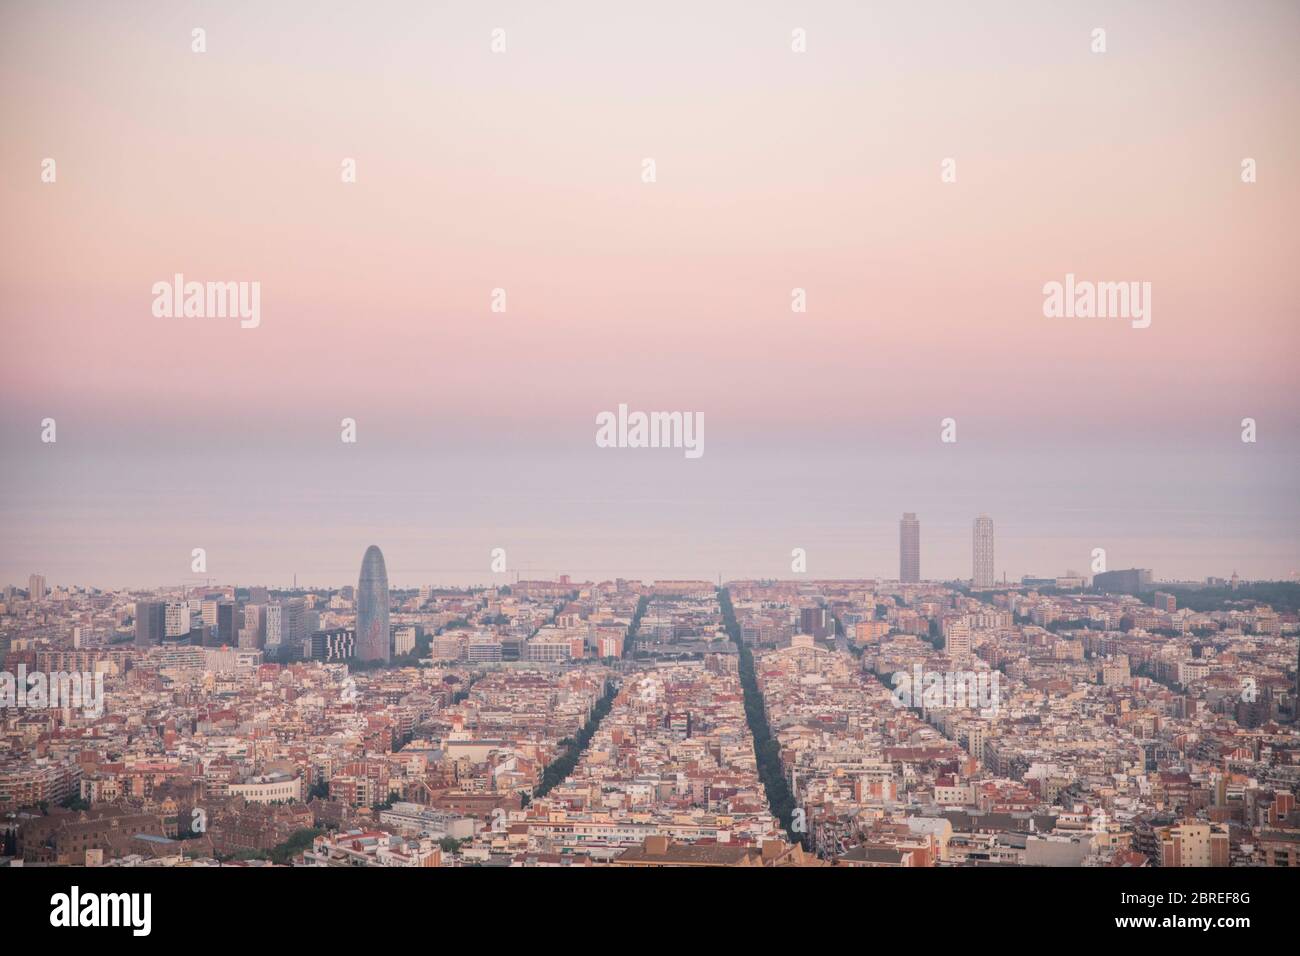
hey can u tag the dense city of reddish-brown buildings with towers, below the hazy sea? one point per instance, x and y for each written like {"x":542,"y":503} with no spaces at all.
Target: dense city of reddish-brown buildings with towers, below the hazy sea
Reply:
{"x":1080,"y":721}
